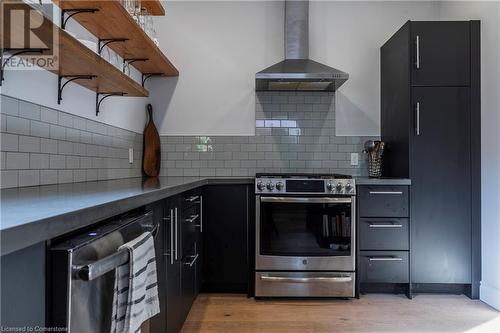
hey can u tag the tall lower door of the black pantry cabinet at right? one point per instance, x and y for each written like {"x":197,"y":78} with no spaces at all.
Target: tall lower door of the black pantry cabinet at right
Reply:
{"x":441,"y":188}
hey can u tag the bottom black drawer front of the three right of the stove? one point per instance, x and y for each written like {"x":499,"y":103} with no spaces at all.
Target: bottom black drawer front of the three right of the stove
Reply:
{"x":384,"y":266}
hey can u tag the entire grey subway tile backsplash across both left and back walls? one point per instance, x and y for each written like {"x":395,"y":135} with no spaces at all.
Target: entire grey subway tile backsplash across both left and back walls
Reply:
{"x":295,"y":132}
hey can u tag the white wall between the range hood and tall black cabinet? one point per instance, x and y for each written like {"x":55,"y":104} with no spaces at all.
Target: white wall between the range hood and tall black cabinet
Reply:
{"x":348,"y":36}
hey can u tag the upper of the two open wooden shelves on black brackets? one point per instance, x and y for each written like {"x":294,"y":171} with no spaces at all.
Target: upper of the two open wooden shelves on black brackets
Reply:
{"x":113,"y":21}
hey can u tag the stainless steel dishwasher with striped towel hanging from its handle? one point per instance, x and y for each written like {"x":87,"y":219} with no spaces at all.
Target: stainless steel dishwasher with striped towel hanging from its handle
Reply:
{"x":82,"y":273}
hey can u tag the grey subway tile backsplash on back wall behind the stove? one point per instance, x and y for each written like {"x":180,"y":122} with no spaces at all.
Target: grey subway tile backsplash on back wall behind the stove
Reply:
{"x":295,"y":132}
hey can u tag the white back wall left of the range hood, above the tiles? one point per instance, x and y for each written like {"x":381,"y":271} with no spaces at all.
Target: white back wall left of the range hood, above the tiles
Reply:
{"x":217,"y":47}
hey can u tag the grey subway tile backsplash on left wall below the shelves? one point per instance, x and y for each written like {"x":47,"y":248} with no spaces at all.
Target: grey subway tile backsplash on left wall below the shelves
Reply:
{"x":46,"y":146}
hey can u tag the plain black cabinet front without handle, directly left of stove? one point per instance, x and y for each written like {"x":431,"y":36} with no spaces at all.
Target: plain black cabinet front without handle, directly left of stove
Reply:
{"x":226,"y":219}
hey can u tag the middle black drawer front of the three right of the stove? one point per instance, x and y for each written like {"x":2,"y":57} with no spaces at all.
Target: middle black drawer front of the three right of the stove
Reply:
{"x":383,"y":233}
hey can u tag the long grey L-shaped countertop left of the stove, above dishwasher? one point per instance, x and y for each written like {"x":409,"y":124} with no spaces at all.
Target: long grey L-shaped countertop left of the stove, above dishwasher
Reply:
{"x":33,"y":214}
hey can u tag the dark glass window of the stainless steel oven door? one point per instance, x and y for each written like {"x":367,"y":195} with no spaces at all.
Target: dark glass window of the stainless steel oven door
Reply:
{"x":305,"y":229}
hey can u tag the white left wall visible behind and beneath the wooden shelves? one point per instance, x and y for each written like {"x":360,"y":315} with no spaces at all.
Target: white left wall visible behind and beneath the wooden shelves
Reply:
{"x":40,"y":86}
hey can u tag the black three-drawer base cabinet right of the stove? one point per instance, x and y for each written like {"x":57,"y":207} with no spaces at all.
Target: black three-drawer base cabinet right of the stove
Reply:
{"x":383,"y":239}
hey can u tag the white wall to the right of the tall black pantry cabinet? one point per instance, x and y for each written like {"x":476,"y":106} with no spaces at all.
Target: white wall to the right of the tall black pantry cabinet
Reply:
{"x":489,"y":14}
